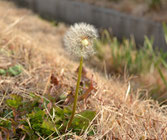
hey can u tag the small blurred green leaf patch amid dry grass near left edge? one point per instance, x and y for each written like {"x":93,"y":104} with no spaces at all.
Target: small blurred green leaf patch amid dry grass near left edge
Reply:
{"x":15,"y":70}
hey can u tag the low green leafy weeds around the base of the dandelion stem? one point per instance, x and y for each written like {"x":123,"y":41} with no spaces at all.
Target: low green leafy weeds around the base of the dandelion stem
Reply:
{"x":39,"y":117}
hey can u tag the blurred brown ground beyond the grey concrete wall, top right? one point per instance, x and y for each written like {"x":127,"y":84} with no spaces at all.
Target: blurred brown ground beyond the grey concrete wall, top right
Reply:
{"x":139,"y":8}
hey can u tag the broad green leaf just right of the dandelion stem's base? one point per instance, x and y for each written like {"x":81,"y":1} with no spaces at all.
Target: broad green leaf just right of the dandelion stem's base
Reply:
{"x":81,"y":121}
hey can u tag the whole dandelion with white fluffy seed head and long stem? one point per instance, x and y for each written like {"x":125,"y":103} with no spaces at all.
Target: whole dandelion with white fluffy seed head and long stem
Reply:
{"x":79,"y":41}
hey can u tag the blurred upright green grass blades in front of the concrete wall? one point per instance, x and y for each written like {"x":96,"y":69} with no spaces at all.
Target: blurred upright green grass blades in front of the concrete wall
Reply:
{"x":136,"y":61}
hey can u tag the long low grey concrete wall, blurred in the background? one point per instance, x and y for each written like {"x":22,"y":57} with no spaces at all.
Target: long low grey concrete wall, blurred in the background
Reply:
{"x":122,"y":25}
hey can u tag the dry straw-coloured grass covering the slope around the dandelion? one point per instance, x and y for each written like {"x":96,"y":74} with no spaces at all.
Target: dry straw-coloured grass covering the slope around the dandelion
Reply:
{"x":37,"y":46}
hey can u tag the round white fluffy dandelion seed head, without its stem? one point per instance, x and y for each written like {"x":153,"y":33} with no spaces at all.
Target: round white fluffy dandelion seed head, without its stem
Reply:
{"x":79,"y":39}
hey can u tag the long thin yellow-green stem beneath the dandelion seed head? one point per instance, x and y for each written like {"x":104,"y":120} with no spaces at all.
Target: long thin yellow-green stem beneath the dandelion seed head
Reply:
{"x":76,"y":93}
